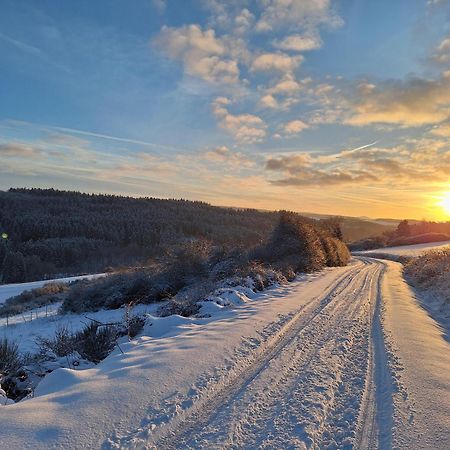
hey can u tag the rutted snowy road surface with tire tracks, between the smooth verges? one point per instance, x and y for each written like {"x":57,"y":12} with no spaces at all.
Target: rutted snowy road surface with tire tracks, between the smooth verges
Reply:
{"x":293,"y":377}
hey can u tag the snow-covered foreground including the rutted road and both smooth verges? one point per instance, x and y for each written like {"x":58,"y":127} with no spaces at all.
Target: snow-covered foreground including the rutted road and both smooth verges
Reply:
{"x":338,"y":359}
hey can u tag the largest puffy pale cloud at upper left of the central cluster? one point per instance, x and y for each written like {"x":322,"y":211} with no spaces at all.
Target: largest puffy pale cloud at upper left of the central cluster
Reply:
{"x":203,"y":54}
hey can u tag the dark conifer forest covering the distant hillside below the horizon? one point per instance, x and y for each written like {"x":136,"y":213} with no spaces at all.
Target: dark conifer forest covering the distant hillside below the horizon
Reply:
{"x":48,"y":233}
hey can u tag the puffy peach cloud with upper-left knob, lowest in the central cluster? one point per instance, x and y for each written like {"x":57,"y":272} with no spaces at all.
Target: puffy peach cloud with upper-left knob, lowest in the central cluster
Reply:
{"x":245,"y":128}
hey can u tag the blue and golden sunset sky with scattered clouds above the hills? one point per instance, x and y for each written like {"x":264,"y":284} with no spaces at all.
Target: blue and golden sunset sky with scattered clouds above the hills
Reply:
{"x":333,"y":107}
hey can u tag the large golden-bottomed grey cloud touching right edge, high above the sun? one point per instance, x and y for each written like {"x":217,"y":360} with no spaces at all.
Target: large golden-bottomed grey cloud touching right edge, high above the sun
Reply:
{"x":413,"y":103}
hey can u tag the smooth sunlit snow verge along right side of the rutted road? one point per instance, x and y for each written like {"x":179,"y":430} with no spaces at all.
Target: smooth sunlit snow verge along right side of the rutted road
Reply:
{"x":420,"y":360}
